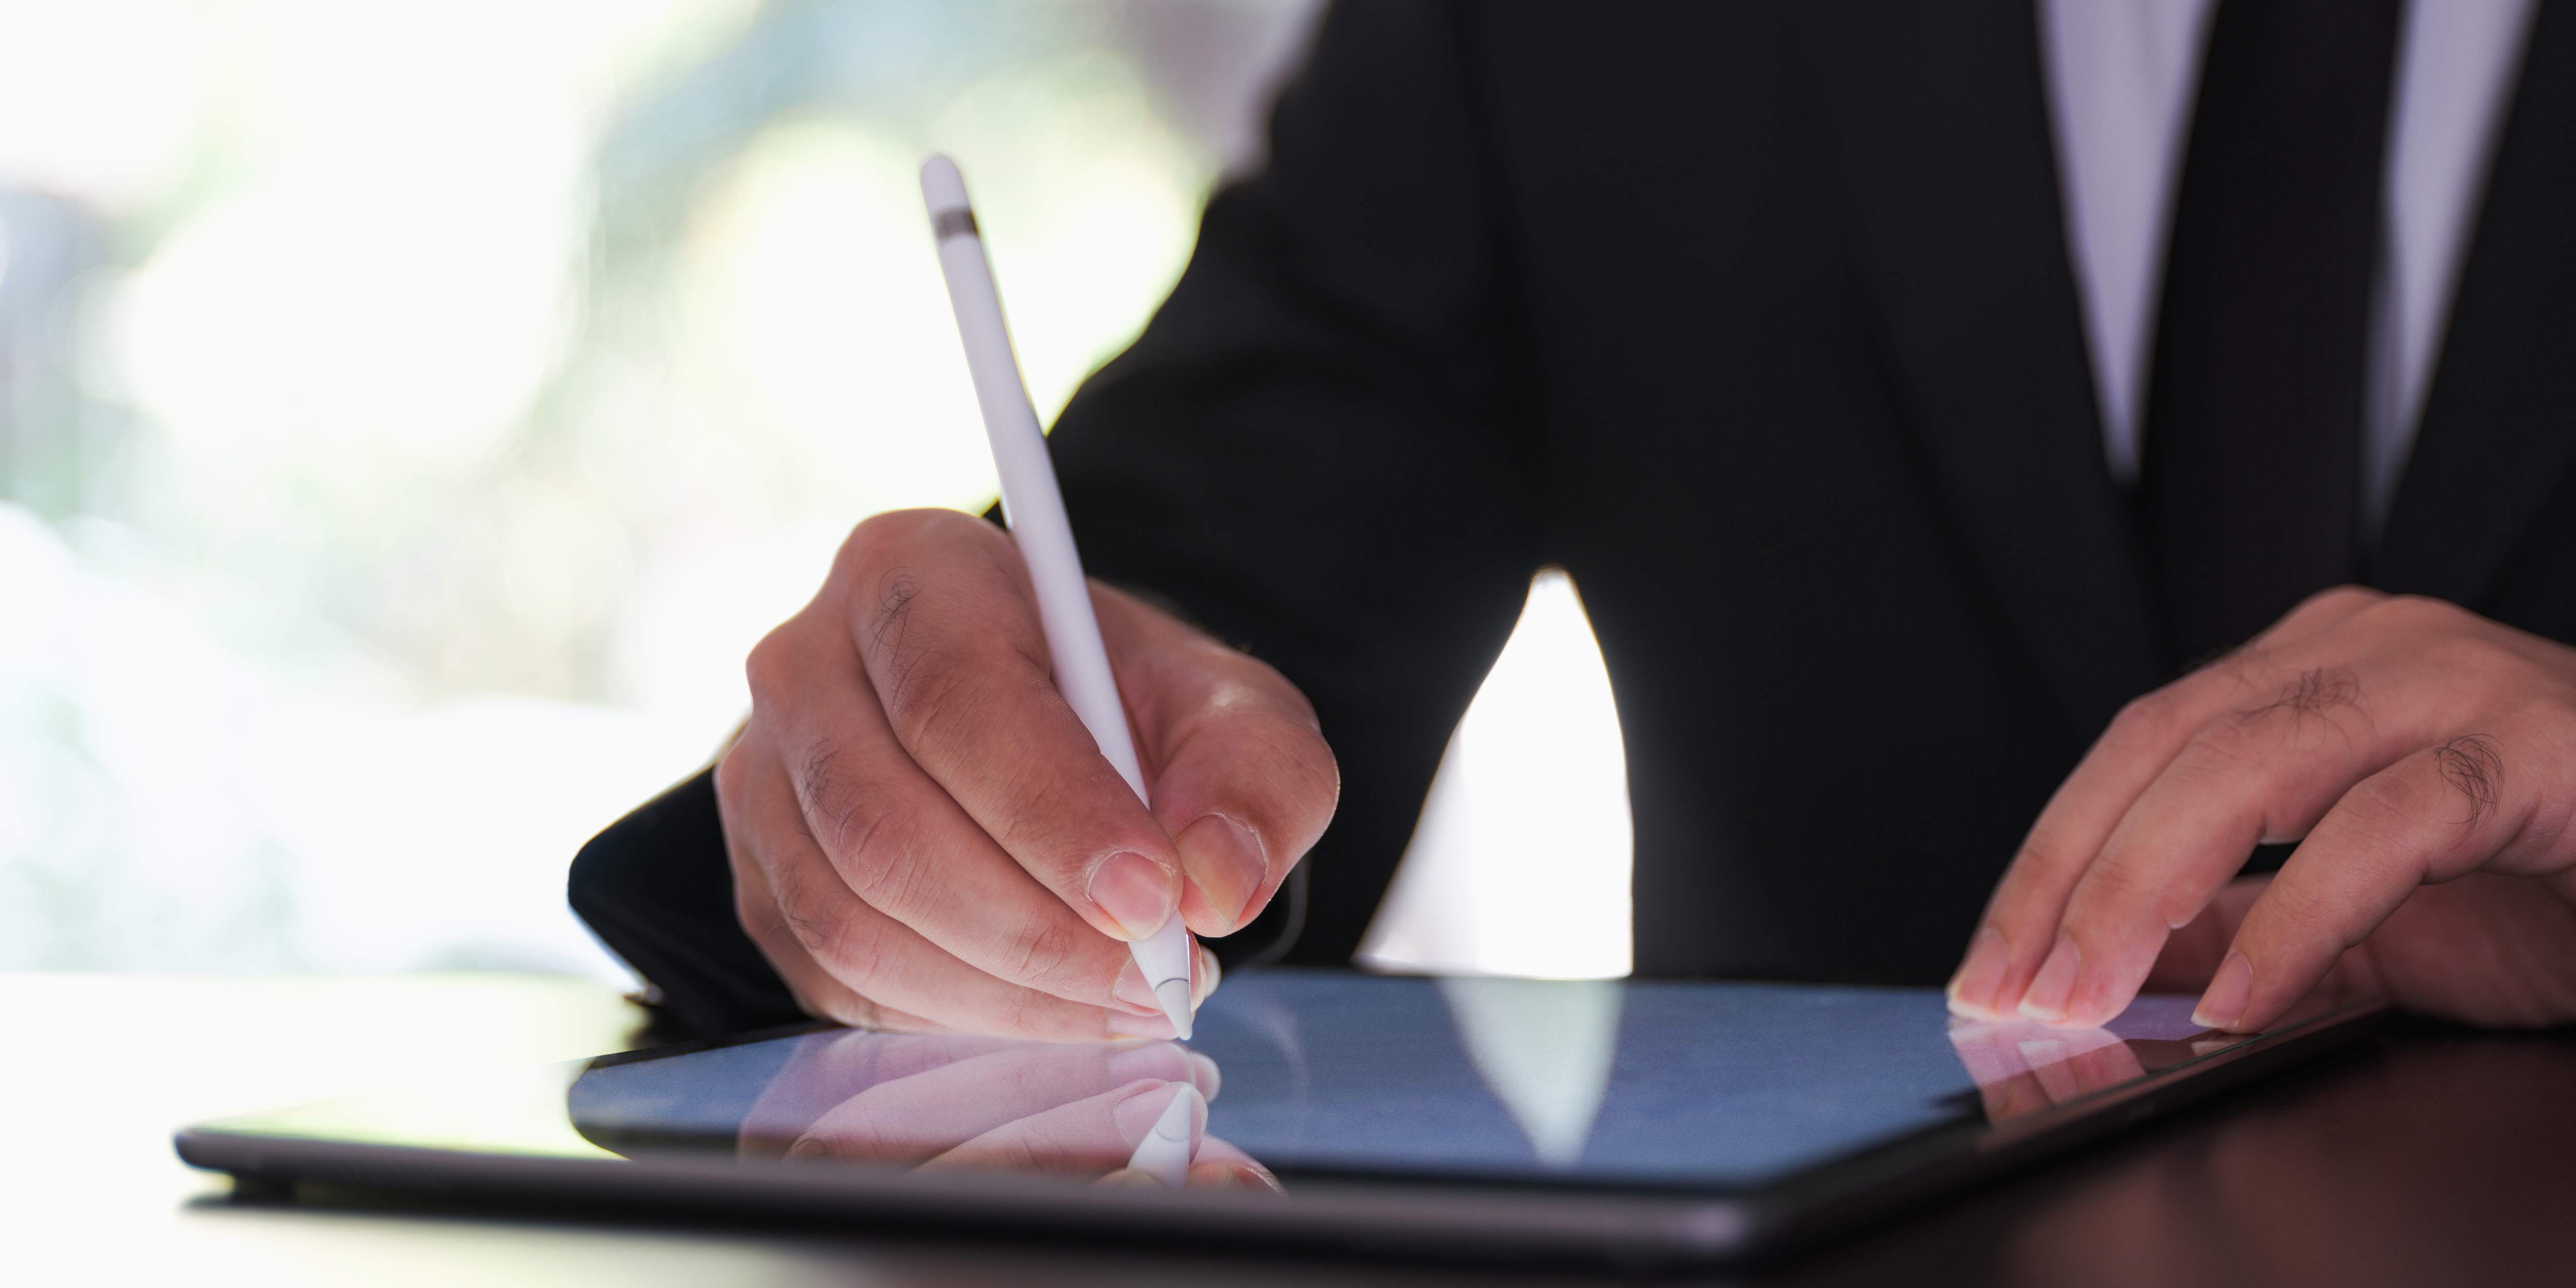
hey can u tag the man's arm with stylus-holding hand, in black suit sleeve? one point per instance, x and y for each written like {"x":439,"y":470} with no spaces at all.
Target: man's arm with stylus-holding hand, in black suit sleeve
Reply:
{"x":1310,"y":452}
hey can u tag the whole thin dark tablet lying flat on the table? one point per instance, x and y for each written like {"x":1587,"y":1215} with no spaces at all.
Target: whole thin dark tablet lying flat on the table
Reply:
{"x":1645,"y":1124}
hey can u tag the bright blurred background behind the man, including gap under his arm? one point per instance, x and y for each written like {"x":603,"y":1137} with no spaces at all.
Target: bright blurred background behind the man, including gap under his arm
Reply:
{"x":413,"y":413}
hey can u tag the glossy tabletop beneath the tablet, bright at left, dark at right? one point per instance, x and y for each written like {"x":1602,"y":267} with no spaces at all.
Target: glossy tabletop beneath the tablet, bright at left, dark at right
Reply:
{"x":2420,"y":1158}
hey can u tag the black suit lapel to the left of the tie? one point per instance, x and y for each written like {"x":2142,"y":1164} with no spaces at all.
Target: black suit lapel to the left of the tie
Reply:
{"x":1938,"y":125}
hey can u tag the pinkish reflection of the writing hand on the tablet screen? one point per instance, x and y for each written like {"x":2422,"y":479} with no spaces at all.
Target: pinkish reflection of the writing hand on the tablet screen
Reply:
{"x":990,"y":1104}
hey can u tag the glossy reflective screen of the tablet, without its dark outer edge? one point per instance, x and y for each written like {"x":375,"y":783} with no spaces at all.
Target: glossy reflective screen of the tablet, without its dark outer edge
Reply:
{"x":1658,"y":1086}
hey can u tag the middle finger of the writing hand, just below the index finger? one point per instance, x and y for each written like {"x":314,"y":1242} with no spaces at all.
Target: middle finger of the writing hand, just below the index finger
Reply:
{"x":903,"y":846}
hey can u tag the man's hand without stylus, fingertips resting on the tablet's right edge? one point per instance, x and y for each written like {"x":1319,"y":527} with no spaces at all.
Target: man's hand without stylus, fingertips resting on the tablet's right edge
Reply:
{"x":2428,"y":759}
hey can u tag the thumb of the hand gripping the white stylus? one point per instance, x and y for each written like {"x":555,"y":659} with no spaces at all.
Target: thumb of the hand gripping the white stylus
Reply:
{"x":1240,"y":769}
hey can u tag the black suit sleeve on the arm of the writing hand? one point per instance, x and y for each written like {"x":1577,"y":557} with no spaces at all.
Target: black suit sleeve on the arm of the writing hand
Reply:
{"x":1315,"y":450}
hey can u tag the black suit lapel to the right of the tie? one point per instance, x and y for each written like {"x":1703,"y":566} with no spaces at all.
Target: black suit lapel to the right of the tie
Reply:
{"x":2500,"y":419}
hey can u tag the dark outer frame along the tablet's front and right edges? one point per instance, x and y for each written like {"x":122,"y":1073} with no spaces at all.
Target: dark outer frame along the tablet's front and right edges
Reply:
{"x":1428,"y":1215}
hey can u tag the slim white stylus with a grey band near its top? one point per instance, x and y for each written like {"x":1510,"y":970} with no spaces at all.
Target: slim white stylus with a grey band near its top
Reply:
{"x":1047,"y":542}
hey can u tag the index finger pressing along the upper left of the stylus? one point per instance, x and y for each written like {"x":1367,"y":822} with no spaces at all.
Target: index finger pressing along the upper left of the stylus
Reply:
{"x":952,"y":645}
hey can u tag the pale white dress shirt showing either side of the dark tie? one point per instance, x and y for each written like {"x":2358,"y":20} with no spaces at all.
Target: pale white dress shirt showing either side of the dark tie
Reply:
{"x":2121,"y":86}
